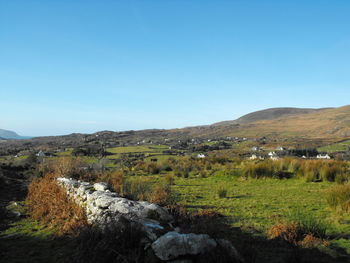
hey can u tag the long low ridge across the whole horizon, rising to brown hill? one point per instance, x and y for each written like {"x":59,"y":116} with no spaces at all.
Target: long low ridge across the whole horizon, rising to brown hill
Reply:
{"x":299,"y":127}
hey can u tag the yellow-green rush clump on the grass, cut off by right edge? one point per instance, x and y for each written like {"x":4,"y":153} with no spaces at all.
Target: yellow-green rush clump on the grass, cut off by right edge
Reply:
{"x":339,"y":198}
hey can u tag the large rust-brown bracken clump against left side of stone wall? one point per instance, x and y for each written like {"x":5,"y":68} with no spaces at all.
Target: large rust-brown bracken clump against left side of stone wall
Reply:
{"x":49,"y":203}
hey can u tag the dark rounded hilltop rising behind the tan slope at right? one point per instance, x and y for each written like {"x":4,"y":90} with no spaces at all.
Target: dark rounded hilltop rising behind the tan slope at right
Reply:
{"x":270,"y":114}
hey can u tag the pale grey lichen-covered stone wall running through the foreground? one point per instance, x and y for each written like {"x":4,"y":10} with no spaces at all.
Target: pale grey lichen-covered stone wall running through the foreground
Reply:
{"x":105,"y":208}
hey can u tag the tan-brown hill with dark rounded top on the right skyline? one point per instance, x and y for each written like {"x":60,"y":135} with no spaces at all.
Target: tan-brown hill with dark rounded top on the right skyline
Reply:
{"x":327,"y":123}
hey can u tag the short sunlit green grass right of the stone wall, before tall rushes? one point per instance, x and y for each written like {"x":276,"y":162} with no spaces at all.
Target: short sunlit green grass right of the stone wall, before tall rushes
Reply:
{"x":260,"y":203}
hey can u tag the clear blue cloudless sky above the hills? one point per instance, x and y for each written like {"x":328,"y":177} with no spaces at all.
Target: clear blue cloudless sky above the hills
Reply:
{"x":83,"y":66}
